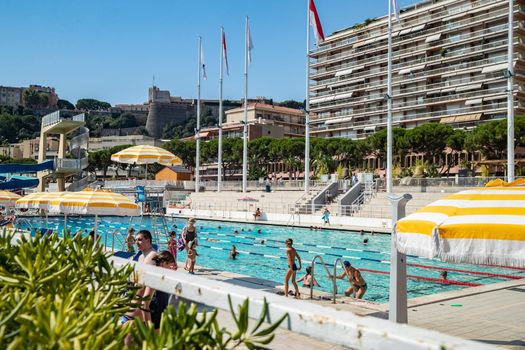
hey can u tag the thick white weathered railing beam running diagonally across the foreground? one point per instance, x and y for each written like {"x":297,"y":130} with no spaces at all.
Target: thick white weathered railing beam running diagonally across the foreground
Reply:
{"x":320,"y":322}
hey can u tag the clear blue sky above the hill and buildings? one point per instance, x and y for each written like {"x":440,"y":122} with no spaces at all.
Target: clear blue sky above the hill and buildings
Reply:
{"x":110,"y":49}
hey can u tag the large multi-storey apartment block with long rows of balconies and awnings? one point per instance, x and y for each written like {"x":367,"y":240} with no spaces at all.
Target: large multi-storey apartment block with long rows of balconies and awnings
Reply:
{"x":449,"y":66}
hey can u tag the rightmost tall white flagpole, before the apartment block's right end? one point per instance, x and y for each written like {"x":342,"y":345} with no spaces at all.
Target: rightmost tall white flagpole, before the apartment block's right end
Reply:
{"x":510,"y":97}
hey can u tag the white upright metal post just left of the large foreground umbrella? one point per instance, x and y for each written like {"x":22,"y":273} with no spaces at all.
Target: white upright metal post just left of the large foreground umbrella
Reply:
{"x":397,"y":303}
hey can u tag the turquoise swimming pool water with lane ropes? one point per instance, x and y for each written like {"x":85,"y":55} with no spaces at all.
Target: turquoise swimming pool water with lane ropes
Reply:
{"x":268,"y":261}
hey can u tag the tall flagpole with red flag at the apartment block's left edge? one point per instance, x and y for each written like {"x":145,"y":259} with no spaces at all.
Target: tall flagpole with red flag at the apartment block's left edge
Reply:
{"x":307,"y":105}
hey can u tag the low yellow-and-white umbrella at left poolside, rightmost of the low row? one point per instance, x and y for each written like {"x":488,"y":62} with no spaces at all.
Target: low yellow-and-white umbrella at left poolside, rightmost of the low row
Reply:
{"x":95,"y":202}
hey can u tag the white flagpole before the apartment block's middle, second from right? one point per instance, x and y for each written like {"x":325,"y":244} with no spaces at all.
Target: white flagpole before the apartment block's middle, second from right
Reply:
{"x":389,"y":105}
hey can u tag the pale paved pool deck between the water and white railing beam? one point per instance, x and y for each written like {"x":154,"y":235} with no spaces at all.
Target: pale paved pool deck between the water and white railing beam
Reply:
{"x":494,"y":314}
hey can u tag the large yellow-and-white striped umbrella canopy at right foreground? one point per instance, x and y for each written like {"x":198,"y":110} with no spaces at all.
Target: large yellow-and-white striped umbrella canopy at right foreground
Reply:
{"x":478,"y":226}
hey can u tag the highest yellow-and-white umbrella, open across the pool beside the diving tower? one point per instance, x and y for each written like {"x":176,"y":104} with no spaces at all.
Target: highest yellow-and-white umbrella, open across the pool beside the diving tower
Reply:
{"x":146,"y":155}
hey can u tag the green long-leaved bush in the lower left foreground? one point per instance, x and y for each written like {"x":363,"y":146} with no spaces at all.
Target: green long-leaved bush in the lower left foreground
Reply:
{"x":64,"y":293}
